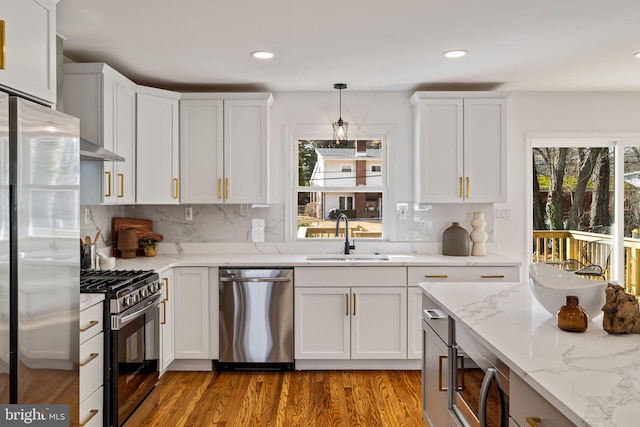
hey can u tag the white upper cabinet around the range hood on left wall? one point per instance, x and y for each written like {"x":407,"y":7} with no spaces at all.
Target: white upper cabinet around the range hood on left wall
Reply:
{"x":105,"y":102}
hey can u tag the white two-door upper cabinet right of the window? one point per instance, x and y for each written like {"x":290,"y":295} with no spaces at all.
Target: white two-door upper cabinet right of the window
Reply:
{"x":460,"y":147}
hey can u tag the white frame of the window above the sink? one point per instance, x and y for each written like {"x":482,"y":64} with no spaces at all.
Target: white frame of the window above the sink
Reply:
{"x":324,"y":132}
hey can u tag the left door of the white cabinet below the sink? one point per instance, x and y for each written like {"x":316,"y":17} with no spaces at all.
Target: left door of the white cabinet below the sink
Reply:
{"x":322,"y":319}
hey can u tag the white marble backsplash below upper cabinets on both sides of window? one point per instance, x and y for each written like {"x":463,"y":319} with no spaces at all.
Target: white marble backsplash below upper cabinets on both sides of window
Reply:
{"x":423,"y":223}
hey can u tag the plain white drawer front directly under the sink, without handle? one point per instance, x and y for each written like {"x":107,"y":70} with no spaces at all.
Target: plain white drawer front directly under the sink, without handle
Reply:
{"x":350,"y":276}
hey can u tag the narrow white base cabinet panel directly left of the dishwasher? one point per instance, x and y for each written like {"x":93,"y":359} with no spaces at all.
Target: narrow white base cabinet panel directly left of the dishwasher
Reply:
{"x":191,"y":311}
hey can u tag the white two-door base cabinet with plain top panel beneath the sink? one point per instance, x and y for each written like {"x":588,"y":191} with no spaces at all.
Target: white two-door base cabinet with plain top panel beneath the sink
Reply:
{"x":350,"y":322}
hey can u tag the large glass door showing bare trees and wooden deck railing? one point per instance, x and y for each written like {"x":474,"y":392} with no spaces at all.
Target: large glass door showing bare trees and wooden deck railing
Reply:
{"x":586,"y":210}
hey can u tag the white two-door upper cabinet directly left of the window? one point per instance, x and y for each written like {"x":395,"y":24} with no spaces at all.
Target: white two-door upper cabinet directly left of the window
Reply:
{"x":224,"y":147}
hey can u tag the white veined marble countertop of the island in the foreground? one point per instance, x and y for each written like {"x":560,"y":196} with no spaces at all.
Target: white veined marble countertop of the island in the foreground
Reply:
{"x":593,"y":378}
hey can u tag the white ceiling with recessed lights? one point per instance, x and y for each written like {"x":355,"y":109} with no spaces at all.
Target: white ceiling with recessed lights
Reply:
{"x":584,"y":45}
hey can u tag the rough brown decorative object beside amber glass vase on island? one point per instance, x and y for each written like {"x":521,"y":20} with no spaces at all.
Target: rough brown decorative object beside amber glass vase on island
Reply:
{"x":621,"y":312}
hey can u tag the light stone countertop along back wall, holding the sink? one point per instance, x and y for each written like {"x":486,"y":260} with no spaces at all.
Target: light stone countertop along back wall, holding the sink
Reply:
{"x":162,"y":262}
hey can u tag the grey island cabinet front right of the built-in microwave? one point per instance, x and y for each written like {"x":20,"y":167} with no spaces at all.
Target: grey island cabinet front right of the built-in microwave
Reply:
{"x":527,"y":407}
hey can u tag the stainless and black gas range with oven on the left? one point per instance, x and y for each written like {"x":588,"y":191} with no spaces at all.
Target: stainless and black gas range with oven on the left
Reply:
{"x":132,"y":341}
